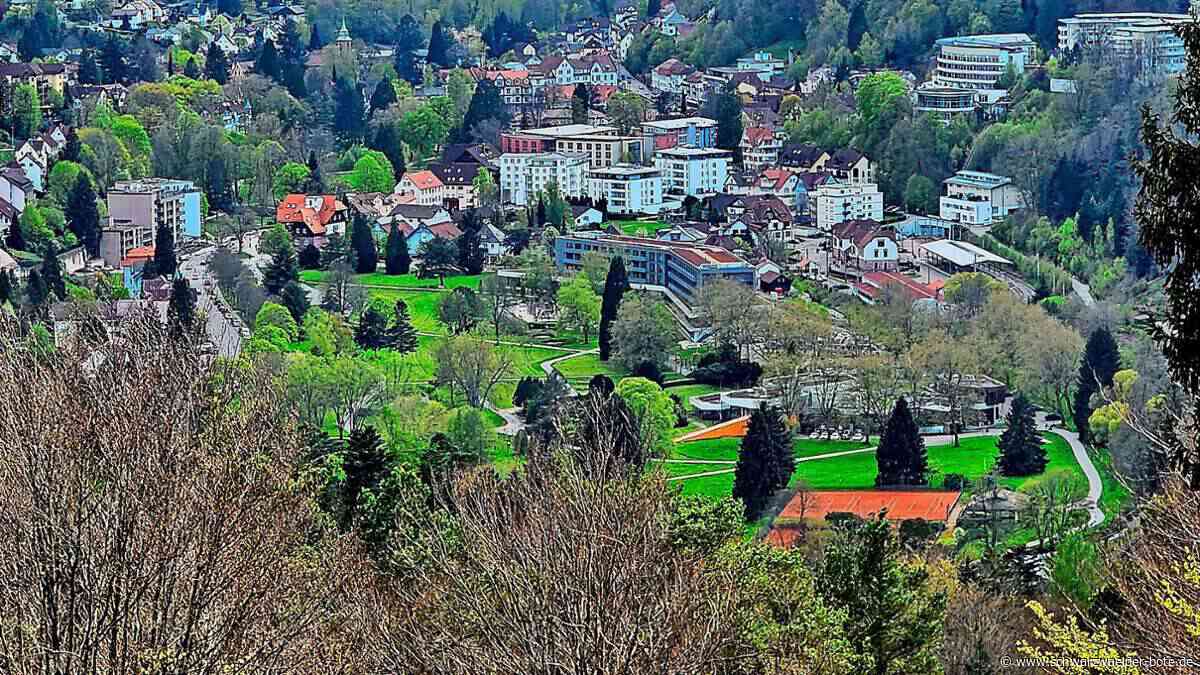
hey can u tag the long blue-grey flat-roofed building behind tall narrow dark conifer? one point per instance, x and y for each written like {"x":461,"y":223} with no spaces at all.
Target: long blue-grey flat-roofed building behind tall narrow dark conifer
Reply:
{"x":681,"y":270}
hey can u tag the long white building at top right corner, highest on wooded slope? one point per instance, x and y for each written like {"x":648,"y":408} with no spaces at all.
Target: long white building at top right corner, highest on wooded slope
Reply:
{"x":1145,"y":37}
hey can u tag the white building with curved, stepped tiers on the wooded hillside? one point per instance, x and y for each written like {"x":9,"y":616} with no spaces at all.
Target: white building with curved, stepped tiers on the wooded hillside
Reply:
{"x":974,"y":64}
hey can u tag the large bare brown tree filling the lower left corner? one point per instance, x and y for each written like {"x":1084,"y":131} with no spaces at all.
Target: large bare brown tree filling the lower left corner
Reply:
{"x":153,"y":519}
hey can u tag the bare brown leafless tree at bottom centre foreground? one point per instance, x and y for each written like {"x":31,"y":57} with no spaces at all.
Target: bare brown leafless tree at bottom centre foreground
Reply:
{"x":551,"y":572}
